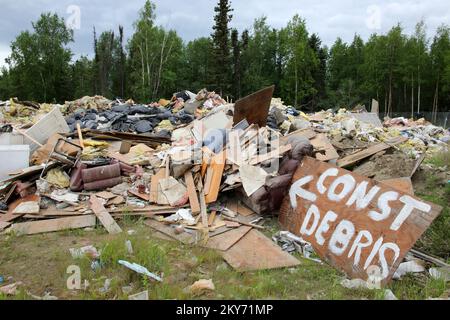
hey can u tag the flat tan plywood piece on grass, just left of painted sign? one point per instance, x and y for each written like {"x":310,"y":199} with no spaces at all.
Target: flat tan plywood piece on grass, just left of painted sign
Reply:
{"x":257,"y":252}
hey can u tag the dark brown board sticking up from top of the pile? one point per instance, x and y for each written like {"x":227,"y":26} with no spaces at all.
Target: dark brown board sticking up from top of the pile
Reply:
{"x":254,"y":108}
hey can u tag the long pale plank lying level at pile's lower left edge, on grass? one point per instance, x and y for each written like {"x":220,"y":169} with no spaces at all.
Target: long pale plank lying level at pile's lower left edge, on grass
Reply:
{"x":35,"y":227}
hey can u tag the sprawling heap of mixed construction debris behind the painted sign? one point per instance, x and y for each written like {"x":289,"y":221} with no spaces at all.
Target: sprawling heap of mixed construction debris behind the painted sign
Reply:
{"x":200,"y":170}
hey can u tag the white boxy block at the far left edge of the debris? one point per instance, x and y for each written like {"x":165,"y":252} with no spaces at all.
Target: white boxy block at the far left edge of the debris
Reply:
{"x":13,"y":158}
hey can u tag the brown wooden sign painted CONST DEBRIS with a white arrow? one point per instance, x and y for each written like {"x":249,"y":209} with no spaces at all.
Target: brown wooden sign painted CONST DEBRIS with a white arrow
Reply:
{"x":359,"y":225}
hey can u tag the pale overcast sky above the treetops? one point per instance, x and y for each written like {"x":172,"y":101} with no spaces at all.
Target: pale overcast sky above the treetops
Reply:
{"x":192,"y":19}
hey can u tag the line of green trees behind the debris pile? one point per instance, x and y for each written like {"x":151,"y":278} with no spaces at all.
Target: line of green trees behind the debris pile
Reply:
{"x":405,"y":73}
